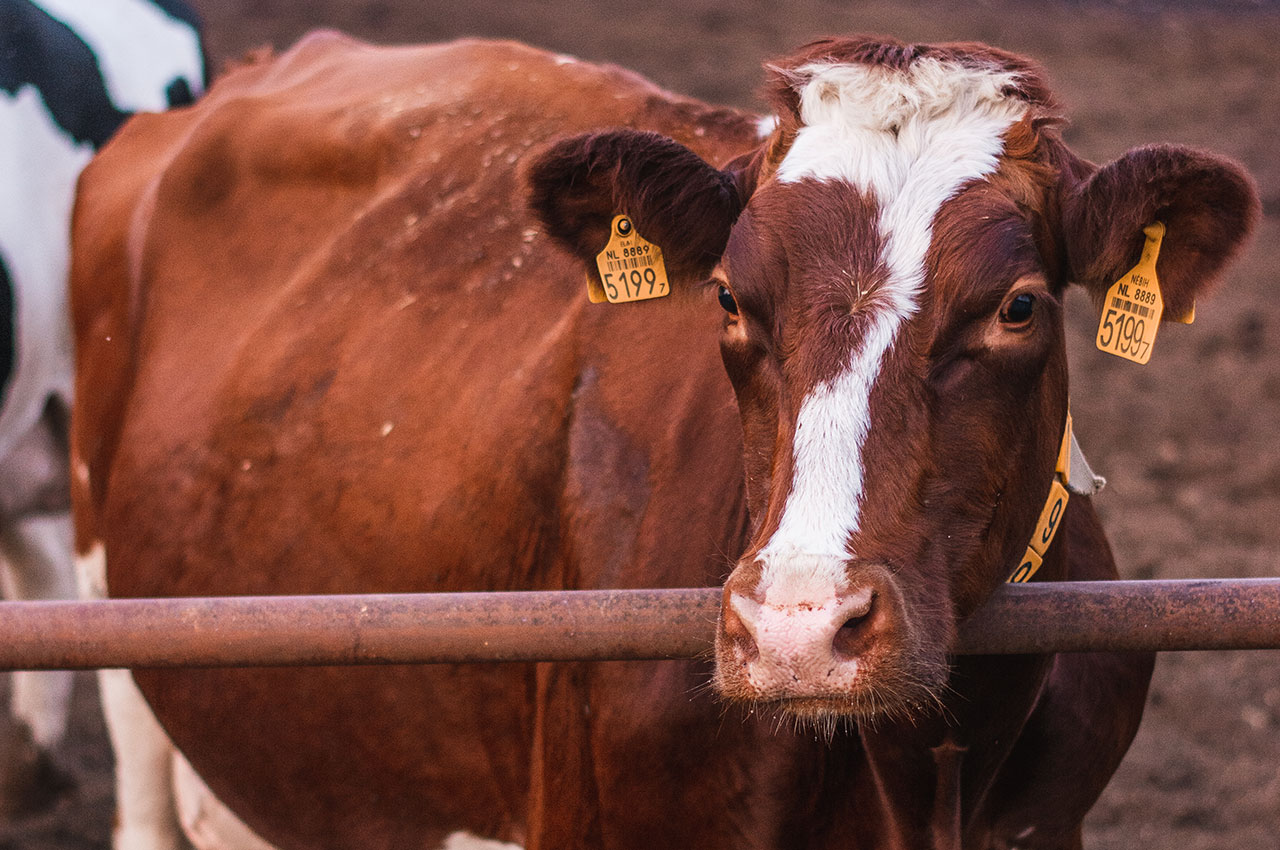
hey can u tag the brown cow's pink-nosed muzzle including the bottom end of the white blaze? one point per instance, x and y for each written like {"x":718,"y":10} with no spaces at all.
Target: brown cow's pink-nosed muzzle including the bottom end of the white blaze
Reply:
{"x":819,"y":648}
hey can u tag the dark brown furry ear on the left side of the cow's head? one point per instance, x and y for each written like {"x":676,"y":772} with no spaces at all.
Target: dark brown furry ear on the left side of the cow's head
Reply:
{"x":676,"y":199}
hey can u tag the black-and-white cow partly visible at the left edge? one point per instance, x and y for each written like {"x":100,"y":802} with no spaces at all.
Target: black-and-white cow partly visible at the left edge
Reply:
{"x":71,"y":74}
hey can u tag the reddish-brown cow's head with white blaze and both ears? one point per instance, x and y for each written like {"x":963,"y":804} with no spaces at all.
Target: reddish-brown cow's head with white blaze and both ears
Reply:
{"x":893,"y":263}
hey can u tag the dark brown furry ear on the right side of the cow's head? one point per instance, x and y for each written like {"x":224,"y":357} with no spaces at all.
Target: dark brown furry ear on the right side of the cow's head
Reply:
{"x":1208,"y":203}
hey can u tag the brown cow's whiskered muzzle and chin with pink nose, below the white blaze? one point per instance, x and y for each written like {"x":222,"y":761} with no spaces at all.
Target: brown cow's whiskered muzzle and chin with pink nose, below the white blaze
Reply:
{"x":858,"y":656}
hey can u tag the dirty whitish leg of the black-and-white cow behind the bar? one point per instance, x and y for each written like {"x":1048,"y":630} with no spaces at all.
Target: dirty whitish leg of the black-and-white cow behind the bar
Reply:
{"x":36,"y":552}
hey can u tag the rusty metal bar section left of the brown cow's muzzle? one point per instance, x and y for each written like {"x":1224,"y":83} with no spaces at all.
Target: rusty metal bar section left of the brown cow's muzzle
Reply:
{"x":390,"y":629}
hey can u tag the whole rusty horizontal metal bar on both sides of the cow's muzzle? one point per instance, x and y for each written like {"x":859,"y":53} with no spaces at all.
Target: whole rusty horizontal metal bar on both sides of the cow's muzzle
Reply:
{"x":591,"y":625}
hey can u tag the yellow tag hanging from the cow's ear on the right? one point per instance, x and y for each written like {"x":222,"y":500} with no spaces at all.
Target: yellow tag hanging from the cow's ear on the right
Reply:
{"x":1131,"y":314}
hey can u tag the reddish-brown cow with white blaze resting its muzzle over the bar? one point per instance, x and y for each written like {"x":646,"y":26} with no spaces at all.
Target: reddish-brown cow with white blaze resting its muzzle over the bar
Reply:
{"x":336,"y":335}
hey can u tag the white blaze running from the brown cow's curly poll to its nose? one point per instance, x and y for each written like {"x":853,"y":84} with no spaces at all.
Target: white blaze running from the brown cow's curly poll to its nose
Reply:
{"x":911,"y":140}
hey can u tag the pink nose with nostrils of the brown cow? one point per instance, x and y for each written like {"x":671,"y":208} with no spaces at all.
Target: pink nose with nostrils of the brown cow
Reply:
{"x":801,"y":648}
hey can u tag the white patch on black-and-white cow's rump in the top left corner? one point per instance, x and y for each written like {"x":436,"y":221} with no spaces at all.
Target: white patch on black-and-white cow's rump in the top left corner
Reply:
{"x":139,"y":48}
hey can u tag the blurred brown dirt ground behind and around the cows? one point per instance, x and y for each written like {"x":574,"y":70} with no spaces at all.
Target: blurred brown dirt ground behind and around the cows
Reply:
{"x":1188,"y":444}
